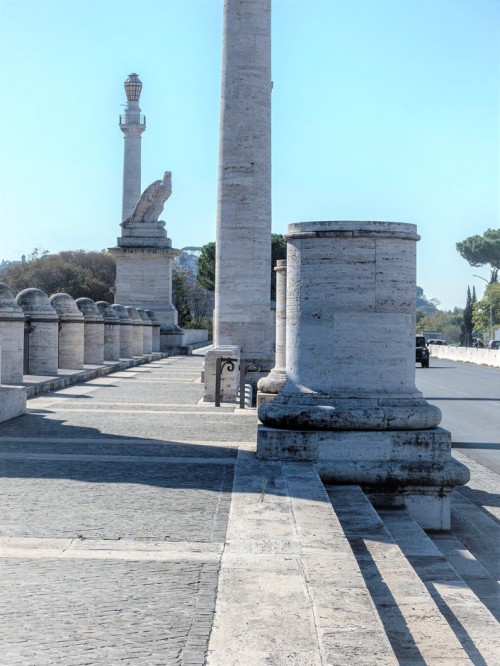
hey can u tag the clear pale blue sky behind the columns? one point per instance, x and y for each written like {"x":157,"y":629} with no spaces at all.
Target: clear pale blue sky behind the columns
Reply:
{"x":382,"y":110}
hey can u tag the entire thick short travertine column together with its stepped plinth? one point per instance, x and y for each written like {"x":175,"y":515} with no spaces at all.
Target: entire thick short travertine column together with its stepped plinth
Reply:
{"x":356,"y":411}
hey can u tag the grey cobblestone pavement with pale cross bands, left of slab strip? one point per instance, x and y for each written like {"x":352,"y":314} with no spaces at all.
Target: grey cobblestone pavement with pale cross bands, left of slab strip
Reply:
{"x":115,"y":497}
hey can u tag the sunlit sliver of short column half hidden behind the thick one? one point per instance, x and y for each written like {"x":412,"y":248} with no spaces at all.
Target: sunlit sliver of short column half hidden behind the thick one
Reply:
{"x":269,"y":386}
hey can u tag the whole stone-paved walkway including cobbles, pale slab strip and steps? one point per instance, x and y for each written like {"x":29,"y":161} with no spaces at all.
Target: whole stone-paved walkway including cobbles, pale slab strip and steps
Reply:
{"x":138,"y":527}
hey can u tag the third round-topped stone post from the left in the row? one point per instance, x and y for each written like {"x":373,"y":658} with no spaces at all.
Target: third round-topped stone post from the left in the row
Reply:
{"x":71,"y":331}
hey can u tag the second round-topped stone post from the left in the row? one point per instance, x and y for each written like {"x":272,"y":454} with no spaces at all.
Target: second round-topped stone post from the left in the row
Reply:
{"x":43,"y":323}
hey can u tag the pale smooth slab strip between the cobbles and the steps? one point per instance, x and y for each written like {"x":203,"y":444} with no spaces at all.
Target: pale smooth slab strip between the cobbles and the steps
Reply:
{"x":282,"y":538}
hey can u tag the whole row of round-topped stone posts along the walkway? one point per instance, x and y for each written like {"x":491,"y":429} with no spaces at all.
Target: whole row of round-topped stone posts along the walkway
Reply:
{"x":40,"y":335}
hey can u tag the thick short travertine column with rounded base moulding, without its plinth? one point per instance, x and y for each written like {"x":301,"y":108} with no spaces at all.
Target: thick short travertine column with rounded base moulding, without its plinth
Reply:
{"x":350,"y":281}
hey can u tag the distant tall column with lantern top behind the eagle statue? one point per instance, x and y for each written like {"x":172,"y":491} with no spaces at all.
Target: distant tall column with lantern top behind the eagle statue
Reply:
{"x":132,"y":124}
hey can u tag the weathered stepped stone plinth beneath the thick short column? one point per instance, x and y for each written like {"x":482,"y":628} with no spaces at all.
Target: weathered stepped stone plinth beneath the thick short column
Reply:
{"x":411,"y":468}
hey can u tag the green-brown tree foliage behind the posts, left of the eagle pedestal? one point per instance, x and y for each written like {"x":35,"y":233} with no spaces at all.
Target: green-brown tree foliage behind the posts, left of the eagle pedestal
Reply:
{"x":77,"y":273}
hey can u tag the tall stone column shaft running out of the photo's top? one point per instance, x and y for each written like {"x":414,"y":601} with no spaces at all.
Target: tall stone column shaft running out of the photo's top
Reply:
{"x":243,"y":239}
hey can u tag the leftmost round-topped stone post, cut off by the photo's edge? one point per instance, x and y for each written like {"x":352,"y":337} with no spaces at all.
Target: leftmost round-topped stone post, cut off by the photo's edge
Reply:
{"x":11,"y":337}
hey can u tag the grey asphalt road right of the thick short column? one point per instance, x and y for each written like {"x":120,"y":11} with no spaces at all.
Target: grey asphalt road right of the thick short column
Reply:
{"x":469,"y":398}
